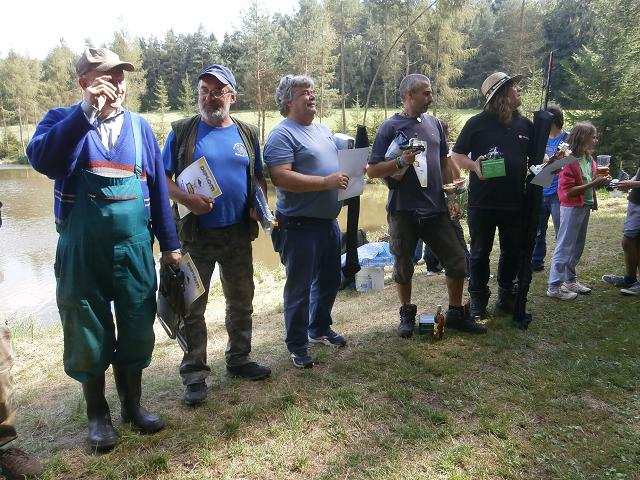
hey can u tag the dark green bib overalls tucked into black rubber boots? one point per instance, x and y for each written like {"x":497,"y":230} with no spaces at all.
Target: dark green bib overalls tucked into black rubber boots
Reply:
{"x":105,"y":255}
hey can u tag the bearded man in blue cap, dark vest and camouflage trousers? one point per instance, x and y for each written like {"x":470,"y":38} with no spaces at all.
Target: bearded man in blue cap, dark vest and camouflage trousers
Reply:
{"x":218,"y":232}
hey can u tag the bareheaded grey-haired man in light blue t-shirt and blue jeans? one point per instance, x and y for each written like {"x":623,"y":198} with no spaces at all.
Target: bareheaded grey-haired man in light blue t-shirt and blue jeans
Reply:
{"x":303,"y":162}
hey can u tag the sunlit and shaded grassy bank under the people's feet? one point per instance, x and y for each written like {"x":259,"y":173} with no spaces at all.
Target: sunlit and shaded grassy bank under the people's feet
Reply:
{"x":560,"y":401}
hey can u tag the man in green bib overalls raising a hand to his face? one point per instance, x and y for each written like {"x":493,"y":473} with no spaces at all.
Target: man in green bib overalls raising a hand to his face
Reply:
{"x":109,"y":189}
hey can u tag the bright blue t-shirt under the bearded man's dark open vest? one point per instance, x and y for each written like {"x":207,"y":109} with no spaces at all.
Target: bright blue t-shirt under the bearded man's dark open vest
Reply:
{"x":227,"y":157}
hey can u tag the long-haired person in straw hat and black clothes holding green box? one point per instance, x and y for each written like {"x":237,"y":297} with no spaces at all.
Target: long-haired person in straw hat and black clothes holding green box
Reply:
{"x":494,"y":146}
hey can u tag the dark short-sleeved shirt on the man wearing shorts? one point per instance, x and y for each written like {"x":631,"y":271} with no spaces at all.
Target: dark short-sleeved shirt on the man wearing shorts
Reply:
{"x":407,"y":194}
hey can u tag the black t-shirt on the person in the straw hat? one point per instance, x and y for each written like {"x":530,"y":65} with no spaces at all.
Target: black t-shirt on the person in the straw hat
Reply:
{"x":480,"y":134}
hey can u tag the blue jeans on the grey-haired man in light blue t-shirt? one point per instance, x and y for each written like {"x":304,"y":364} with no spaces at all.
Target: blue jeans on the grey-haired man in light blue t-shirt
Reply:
{"x":309,"y":249}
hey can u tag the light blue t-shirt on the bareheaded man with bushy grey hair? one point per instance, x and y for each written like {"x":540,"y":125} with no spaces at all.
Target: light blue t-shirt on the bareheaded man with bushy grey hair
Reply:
{"x":311,"y":150}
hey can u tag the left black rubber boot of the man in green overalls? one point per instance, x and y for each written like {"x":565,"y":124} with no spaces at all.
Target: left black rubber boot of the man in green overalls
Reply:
{"x":101,"y":434}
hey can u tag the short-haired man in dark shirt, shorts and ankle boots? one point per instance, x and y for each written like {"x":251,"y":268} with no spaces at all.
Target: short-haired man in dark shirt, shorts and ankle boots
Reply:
{"x":417,"y":208}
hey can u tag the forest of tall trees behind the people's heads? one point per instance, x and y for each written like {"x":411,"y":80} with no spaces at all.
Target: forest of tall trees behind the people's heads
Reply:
{"x":343,"y":45}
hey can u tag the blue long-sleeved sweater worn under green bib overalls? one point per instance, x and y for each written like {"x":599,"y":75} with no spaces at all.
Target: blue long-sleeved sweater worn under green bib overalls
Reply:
{"x":65,"y":141}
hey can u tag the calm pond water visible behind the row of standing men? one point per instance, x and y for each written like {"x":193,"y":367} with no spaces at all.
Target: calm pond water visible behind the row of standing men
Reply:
{"x":28,"y":240}
